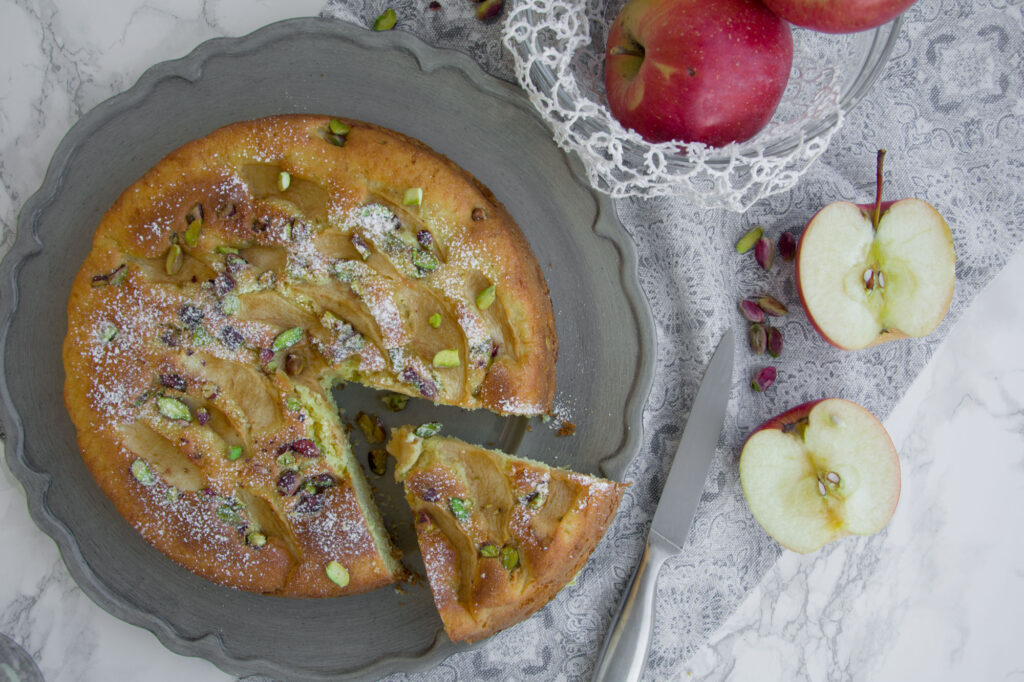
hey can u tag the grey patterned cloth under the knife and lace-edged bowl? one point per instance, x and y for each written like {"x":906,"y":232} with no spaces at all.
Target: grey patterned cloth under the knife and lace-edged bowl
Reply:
{"x":950,"y":109}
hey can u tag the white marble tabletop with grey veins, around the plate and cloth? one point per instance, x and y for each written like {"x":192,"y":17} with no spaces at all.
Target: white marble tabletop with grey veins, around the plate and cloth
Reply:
{"x":933,"y":598}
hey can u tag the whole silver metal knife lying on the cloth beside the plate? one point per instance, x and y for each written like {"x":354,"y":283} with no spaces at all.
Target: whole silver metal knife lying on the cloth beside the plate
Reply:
{"x":626,"y":646}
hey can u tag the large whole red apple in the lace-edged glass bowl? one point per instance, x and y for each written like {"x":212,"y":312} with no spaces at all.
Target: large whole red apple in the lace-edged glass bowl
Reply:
{"x":712,"y":71}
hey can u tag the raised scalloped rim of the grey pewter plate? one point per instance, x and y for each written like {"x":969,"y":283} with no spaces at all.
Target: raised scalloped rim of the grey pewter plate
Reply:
{"x":28,"y":244}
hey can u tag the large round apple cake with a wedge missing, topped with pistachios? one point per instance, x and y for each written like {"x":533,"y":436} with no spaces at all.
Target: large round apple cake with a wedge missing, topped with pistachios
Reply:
{"x":239,"y":280}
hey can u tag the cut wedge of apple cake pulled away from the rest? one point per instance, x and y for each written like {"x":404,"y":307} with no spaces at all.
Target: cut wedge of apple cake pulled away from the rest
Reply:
{"x":500,"y":535}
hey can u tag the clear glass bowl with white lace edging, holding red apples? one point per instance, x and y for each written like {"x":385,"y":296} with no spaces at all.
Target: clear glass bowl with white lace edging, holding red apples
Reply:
{"x":559,"y":48}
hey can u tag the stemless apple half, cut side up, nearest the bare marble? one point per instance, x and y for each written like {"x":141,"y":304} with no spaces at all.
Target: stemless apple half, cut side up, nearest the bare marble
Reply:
{"x":822,"y":472}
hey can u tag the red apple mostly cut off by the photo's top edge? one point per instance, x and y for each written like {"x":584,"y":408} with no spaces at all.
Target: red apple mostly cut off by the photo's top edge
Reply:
{"x":839,"y":16}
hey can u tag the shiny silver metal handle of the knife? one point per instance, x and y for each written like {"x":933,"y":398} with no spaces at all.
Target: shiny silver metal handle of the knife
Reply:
{"x":628,"y":642}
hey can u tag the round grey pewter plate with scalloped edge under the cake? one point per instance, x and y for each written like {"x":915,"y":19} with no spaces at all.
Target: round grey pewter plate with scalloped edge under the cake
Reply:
{"x":395,"y":80}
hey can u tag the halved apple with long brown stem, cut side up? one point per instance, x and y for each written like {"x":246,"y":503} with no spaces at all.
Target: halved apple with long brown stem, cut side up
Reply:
{"x":876,"y":273}
